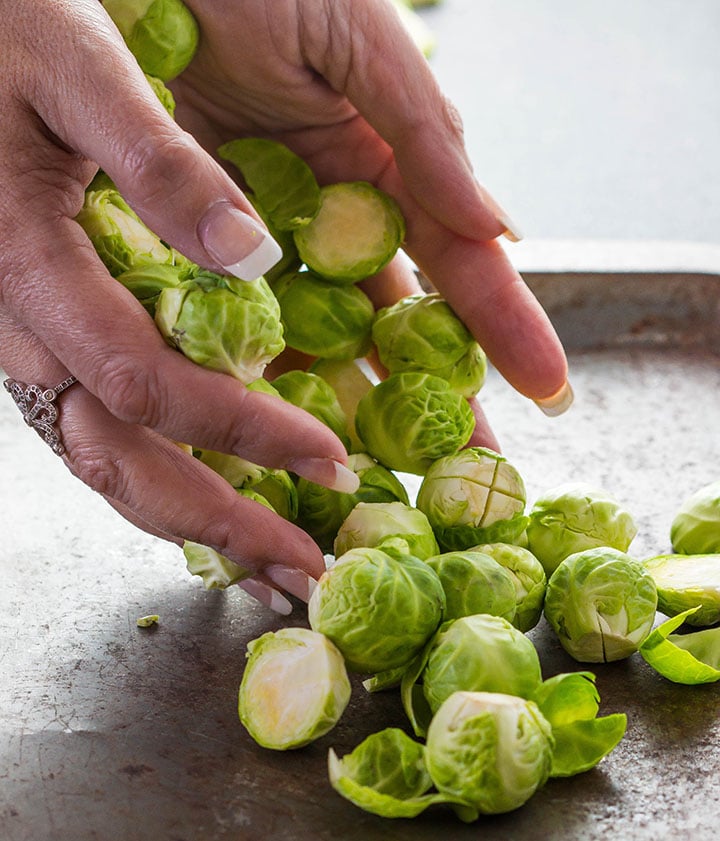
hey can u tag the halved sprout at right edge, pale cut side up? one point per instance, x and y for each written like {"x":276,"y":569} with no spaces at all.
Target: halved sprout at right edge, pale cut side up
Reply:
{"x":685,"y":581}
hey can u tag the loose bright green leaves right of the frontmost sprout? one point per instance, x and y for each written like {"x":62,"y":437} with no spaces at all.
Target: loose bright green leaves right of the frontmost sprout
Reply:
{"x":570,"y":703}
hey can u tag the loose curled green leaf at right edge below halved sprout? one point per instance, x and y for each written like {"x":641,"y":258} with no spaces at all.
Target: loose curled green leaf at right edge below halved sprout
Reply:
{"x":690,"y":659}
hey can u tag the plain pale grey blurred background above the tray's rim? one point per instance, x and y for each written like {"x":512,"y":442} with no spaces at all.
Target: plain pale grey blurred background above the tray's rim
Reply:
{"x":589,"y":120}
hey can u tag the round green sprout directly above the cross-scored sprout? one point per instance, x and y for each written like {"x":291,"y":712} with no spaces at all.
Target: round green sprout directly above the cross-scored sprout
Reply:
{"x":410,"y":420}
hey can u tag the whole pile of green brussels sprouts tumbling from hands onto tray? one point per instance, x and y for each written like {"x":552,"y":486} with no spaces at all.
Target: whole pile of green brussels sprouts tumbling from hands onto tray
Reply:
{"x":432,"y":597}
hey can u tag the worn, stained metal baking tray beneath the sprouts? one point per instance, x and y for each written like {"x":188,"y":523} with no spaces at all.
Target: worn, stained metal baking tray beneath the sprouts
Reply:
{"x":108,"y":730}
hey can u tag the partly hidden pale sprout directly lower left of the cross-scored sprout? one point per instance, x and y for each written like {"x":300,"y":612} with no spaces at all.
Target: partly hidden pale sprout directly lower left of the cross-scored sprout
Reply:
{"x":396,"y":527}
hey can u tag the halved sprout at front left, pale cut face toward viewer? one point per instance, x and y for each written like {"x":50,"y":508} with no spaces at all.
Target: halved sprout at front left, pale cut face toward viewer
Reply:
{"x":294,"y":688}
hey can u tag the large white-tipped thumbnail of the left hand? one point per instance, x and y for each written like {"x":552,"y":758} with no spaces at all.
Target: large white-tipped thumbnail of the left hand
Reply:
{"x":237,"y":242}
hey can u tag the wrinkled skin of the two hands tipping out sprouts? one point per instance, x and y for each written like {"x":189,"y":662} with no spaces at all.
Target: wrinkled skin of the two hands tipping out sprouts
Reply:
{"x":340,"y":83}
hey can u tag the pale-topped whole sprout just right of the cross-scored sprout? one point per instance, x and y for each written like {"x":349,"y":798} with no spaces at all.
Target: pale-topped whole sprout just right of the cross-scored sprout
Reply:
{"x":573,"y":517}
